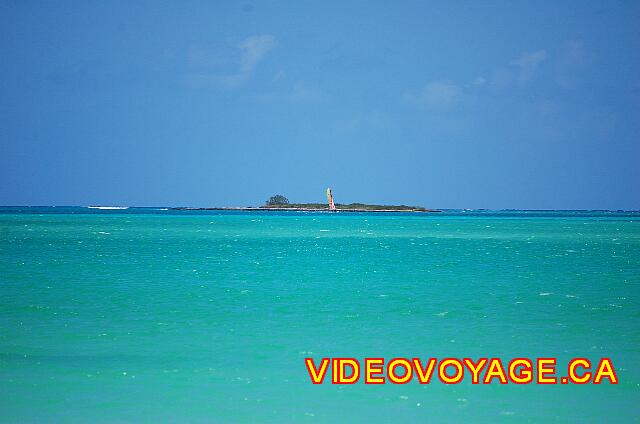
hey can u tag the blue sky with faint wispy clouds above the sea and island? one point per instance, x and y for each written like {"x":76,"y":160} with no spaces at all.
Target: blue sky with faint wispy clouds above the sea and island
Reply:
{"x":442,"y":104}
